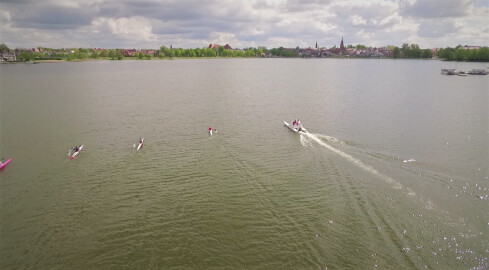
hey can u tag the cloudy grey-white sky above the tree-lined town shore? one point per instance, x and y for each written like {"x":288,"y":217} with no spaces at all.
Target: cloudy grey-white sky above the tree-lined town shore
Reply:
{"x":242,"y":23}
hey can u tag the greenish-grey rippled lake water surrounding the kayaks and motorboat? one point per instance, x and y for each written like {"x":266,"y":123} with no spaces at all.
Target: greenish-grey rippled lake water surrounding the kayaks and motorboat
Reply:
{"x":254,"y":195}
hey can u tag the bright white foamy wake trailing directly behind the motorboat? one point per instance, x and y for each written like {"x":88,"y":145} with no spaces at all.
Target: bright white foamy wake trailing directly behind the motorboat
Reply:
{"x":318,"y":139}
